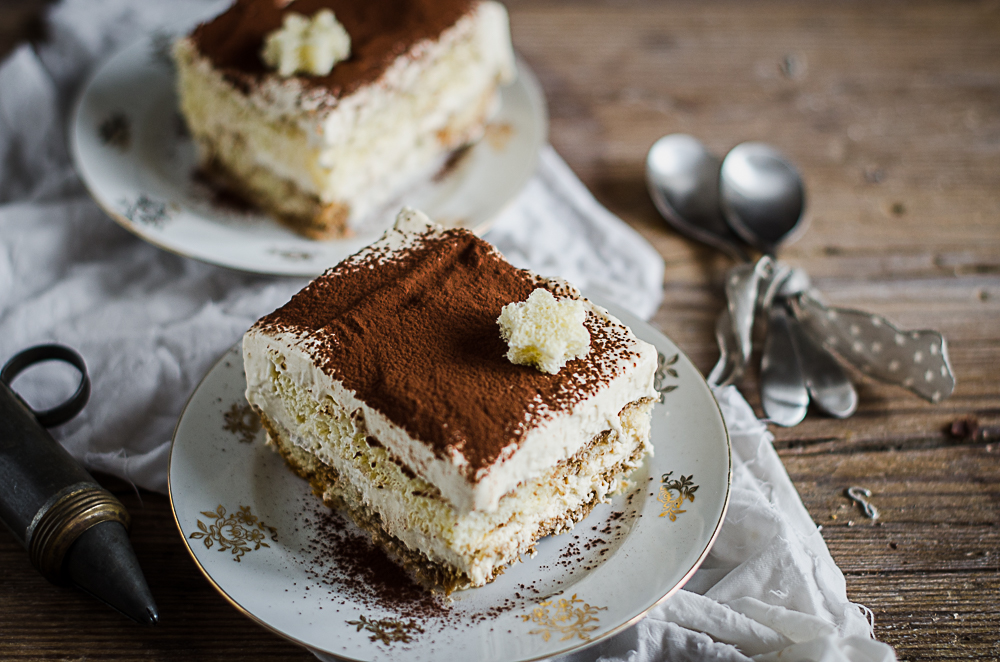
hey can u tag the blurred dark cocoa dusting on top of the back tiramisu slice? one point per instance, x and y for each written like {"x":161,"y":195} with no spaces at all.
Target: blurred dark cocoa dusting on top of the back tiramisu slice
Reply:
{"x":380,"y":31}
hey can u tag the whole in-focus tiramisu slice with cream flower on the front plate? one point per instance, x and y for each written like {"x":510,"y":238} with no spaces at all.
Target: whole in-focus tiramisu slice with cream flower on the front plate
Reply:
{"x":387,"y":383}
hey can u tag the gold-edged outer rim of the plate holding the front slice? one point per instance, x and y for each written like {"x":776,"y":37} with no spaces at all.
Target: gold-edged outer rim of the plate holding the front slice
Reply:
{"x":614,"y":310}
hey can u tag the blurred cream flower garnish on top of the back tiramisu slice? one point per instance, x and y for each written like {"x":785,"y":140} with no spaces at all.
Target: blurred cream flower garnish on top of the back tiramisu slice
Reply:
{"x":310,"y":46}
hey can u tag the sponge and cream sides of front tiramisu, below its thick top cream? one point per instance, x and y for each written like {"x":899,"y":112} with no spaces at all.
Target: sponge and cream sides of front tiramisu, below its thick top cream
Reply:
{"x":475,"y":544}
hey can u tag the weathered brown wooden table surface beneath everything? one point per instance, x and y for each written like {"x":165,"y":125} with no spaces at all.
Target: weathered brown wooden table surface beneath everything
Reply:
{"x":892,"y":112}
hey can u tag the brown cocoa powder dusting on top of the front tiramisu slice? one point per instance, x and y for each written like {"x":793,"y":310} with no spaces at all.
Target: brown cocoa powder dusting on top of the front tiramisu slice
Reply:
{"x":414,"y":334}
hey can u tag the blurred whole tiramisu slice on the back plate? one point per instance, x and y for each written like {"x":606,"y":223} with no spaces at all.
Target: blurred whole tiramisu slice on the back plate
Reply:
{"x":320,"y":111}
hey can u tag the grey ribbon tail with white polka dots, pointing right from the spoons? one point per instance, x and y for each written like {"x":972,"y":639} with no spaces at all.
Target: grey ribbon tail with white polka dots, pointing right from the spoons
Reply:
{"x":917,"y":360}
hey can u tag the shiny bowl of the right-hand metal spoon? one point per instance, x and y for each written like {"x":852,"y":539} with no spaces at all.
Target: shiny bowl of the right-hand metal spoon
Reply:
{"x":761,"y":195}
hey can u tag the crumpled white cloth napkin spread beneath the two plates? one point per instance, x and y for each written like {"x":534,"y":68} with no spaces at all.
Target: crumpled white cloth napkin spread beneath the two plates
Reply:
{"x":150,"y":324}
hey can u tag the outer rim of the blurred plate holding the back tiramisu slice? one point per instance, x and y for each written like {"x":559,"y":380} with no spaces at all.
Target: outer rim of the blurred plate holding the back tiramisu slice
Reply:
{"x":526,"y":79}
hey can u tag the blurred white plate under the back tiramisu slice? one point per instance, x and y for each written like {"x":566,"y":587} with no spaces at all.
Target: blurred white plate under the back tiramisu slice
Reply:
{"x":132,"y":151}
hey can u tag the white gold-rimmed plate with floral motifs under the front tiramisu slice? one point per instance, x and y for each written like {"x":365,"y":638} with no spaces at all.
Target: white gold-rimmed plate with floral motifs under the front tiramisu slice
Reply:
{"x":228,"y":495}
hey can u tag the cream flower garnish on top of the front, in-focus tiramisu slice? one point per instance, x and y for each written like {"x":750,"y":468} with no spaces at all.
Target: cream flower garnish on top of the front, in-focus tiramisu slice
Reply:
{"x":544,"y":332}
